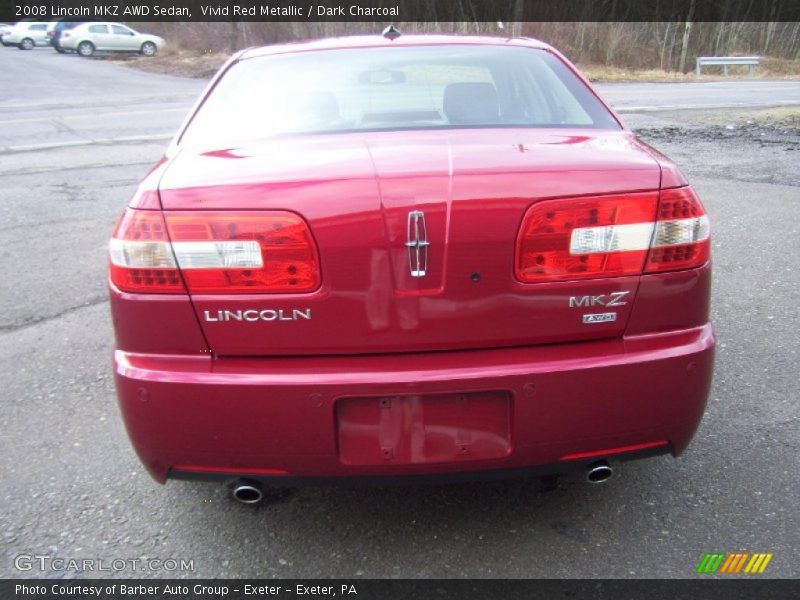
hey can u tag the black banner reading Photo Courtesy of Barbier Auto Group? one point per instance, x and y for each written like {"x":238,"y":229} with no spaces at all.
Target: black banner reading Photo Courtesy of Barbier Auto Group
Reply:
{"x":401,"y":589}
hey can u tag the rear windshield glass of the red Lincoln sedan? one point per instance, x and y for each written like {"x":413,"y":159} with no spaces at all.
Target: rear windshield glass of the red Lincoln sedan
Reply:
{"x":405,"y":87}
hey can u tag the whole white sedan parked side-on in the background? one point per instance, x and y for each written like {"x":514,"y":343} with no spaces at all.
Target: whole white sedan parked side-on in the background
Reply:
{"x":89,"y":38}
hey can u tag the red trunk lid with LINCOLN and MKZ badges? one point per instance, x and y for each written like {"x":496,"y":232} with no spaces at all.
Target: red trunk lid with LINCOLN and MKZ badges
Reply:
{"x":416,"y":236}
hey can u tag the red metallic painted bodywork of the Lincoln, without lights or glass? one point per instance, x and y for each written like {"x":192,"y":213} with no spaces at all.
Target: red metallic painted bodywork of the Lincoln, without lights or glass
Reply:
{"x":278,"y":399}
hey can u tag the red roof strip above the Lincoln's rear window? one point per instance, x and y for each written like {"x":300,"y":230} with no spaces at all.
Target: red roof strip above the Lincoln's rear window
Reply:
{"x":372,"y":41}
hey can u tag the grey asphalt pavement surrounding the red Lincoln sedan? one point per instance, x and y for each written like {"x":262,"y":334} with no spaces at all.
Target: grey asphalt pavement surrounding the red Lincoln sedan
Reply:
{"x":76,"y":136}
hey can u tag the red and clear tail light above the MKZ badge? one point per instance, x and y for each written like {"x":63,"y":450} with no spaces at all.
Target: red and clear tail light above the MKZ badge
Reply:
{"x":611,"y":236}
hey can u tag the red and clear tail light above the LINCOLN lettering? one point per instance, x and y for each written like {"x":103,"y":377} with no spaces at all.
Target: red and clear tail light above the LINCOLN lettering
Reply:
{"x":213,"y":253}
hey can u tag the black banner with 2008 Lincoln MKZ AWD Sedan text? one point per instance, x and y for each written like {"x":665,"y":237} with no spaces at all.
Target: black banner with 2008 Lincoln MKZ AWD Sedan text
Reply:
{"x":401,"y":10}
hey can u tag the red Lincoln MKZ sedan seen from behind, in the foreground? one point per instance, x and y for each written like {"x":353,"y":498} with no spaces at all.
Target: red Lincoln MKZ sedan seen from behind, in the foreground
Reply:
{"x":433,"y":257}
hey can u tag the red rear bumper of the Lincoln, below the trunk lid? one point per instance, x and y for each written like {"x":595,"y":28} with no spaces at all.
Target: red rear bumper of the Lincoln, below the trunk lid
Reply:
{"x":570,"y":404}
